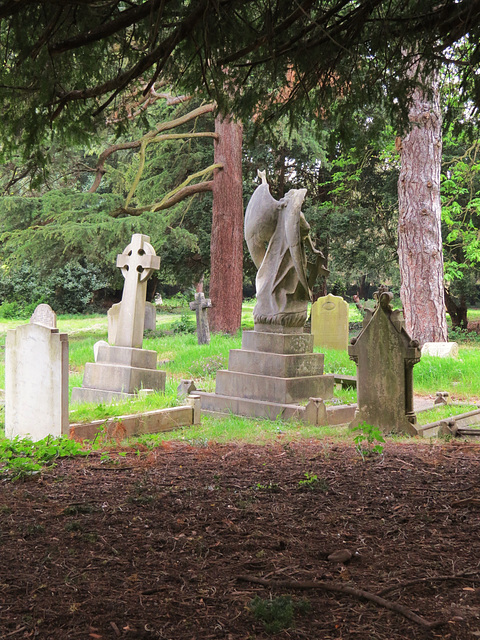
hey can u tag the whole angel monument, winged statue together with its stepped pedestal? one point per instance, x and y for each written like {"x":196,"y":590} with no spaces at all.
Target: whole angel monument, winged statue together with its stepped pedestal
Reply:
{"x":276,"y":367}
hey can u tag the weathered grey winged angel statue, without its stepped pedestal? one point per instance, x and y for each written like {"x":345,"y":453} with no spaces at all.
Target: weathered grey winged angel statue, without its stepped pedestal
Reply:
{"x":276,"y":233}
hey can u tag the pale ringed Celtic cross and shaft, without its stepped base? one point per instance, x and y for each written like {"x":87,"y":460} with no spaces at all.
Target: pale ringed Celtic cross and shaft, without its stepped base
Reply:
{"x":137,"y":263}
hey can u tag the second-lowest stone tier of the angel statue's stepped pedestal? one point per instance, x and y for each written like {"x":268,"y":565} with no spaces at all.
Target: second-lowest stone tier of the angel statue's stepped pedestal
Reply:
{"x":273,"y":389}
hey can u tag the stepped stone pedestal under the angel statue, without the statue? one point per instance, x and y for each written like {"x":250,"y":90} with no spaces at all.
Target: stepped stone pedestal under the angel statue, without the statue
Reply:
{"x":273,"y":371}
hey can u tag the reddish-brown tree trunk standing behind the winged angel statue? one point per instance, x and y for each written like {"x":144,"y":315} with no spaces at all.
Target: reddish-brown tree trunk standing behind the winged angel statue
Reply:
{"x":226,"y":245}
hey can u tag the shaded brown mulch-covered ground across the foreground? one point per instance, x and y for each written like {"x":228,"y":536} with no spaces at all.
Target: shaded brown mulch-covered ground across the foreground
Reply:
{"x":162,"y":544}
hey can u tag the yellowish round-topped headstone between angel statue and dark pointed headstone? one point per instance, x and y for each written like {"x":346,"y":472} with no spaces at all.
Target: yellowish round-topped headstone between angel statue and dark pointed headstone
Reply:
{"x":330,"y":322}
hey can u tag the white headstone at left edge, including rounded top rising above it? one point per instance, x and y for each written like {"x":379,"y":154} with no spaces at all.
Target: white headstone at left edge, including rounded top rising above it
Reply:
{"x":36,"y":378}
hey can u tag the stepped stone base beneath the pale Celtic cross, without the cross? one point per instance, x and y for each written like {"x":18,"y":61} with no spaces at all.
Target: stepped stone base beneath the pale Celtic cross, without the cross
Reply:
{"x":119,"y":372}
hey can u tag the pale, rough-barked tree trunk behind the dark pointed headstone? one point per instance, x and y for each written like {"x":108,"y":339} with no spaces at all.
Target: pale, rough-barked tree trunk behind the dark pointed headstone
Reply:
{"x":419,"y":231}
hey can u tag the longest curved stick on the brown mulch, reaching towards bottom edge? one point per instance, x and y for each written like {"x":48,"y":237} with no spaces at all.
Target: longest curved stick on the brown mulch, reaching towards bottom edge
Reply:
{"x":353,"y":591}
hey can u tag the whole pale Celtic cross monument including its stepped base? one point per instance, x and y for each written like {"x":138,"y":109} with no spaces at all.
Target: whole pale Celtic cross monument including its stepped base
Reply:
{"x":125,"y":368}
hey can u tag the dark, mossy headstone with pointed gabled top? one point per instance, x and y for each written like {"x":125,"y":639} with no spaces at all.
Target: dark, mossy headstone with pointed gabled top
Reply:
{"x":385,"y":356}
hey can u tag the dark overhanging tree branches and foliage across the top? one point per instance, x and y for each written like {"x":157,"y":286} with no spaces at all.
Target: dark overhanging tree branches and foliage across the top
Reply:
{"x":66,"y":61}
